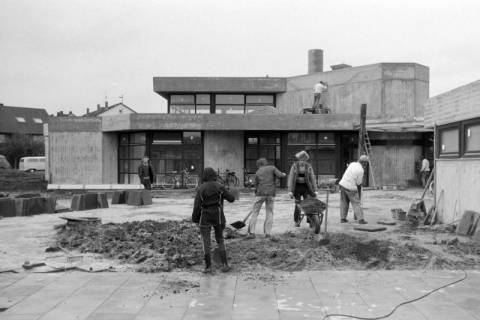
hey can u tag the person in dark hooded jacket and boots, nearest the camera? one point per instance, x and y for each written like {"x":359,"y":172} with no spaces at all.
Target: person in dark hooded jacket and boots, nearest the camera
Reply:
{"x":208,"y":214}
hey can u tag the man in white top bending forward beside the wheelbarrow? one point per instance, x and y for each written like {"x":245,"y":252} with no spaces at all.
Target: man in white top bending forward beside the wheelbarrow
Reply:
{"x":350,"y":187}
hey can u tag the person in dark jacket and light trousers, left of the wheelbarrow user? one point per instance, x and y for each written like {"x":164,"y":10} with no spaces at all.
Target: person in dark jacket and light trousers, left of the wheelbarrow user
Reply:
{"x":265,"y":189}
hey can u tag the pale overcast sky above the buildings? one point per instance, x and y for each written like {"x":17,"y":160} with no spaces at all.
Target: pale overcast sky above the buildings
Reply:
{"x":69,"y":54}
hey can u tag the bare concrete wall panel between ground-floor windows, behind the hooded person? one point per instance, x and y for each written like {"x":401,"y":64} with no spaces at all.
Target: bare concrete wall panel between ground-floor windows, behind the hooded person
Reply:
{"x":225,"y":150}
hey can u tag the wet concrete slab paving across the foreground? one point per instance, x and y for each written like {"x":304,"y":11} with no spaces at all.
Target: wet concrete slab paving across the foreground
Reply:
{"x":306,"y":295}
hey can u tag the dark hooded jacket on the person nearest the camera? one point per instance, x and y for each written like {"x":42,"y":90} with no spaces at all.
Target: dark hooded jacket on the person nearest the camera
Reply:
{"x":208,"y":204}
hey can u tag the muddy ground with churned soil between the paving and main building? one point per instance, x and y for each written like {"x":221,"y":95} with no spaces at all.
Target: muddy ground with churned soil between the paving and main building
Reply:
{"x":157,"y":238}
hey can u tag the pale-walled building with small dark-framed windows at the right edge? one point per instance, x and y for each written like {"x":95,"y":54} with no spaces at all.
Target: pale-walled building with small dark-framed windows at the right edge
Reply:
{"x":456,"y":117}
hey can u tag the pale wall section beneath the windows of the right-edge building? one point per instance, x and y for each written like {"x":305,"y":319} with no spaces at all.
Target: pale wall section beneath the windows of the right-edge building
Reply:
{"x":458,"y":181}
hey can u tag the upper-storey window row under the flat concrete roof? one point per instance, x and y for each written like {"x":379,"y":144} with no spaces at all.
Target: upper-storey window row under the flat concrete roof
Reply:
{"x":219,"y":103}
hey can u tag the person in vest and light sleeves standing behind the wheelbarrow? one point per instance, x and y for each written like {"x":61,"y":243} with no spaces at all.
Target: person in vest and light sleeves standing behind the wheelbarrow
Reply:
{"x":301,"y":182}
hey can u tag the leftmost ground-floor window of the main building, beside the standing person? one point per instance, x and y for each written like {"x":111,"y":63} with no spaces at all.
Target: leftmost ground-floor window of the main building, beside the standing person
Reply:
{"x":132,"y":148}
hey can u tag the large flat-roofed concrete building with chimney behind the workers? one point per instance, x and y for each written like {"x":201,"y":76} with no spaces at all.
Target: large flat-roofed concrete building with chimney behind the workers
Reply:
{"x":229,"y":122}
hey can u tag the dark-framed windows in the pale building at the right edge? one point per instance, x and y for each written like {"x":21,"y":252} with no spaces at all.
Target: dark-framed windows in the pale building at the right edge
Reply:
{"x":461,"y":139}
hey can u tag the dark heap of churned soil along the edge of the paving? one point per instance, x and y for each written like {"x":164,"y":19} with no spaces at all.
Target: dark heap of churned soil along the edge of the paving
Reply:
{"x":161,"y":246}
